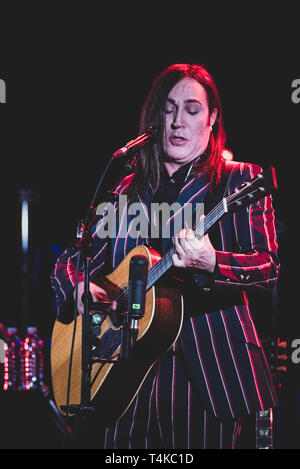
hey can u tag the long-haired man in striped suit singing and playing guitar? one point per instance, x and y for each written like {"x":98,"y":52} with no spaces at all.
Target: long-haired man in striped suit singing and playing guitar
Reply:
{"x":196,"y":394}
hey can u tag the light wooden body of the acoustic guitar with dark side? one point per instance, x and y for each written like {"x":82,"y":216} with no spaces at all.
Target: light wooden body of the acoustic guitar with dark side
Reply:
{"x":114,"y":385}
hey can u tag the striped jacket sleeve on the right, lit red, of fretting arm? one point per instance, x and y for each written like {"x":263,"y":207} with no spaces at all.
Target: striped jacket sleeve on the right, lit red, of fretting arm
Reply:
{"x":254,"y":261}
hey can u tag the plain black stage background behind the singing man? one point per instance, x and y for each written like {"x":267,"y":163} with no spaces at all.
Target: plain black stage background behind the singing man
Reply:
{"x":76,"y":80}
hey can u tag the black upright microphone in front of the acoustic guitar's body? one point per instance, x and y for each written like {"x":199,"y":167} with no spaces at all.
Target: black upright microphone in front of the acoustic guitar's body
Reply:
{"x":138,"y":276}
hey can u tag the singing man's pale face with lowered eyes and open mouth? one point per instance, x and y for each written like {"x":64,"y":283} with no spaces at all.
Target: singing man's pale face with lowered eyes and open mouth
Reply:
{"x":187,"y":121}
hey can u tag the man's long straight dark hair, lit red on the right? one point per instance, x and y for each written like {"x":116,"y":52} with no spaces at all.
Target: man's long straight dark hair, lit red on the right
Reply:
{"x":149,"y":164}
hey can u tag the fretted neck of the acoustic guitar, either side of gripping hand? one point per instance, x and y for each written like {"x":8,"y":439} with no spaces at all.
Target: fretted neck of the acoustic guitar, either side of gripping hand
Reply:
{"x":202,"y":227}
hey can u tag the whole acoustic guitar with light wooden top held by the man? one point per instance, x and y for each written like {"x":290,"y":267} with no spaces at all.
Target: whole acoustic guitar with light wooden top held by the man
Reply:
{"x":114,"y":382}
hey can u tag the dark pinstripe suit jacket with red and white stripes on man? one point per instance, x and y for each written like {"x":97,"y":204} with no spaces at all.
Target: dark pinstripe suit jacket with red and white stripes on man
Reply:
{"x":222,"y":351}
